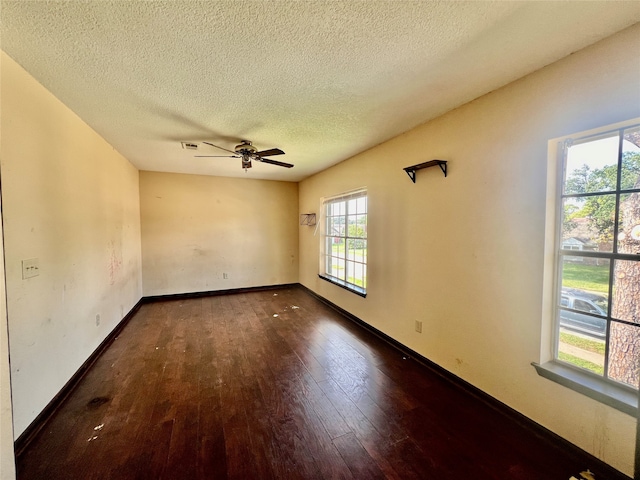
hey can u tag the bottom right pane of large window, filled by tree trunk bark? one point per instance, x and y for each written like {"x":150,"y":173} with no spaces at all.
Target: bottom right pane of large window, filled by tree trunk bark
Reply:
{"x":624,"y":353}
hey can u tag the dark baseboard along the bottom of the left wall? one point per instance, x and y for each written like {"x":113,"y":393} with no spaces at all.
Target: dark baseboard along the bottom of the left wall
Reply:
{"x":35,"y":427}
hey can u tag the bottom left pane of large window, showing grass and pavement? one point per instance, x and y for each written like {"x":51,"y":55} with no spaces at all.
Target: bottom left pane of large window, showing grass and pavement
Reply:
{"x":581,"y":350}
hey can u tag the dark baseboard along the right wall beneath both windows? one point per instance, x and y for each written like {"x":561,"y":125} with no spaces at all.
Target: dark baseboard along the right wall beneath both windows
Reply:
{"x":597,"y":466}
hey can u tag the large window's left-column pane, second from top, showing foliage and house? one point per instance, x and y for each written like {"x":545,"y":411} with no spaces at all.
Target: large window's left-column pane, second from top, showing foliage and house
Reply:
{"x":587,"y":223}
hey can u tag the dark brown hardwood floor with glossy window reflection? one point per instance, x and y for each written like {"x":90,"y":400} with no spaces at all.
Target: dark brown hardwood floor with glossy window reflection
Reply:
{"x":275,"y":384}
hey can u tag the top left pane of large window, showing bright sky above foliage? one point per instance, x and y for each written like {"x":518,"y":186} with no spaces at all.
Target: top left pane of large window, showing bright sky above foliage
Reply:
{"x":592,"y":166}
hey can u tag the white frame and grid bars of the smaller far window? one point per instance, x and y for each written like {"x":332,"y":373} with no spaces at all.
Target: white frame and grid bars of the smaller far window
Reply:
{"x":327,"y":258}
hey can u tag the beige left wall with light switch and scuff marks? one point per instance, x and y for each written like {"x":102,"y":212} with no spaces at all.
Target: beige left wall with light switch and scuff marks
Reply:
{"x":71,"y":201}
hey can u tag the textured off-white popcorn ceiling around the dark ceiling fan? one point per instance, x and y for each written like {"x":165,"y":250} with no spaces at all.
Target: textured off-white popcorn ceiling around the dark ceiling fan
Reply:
{"x":320,"y":80}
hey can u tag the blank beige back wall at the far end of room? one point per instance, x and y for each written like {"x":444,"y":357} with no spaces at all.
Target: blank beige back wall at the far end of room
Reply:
{"x":197,"y":228}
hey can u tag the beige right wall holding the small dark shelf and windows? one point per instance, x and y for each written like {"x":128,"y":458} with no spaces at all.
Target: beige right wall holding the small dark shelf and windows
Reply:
{"x":465,"y":254}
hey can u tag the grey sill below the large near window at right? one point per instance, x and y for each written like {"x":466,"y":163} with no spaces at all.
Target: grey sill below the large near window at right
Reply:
{"x":618,"y":397}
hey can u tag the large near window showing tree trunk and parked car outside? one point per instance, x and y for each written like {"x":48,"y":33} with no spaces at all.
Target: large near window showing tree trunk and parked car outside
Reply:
{"x":598,"y":291}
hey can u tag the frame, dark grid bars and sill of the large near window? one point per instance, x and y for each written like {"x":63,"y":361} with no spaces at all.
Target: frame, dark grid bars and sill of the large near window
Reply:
{"x":605,"y":390}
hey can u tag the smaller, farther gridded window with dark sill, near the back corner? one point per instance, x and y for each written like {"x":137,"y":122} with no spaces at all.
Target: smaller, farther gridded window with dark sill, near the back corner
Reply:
{"x":343,"y":257}
